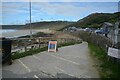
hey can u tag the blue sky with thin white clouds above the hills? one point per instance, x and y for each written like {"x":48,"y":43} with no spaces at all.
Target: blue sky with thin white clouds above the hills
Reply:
{"x":18,"y":12}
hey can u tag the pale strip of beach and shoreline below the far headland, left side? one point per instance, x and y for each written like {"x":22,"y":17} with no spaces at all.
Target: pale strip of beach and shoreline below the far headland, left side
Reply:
{"x":19,"y":33}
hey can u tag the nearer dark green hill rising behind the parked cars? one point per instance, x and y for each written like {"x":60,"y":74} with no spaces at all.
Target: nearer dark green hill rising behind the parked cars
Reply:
{"x":97,"y":19}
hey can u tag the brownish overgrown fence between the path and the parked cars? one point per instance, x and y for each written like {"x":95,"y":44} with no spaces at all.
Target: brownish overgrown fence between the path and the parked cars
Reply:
{"x":96,"y":39}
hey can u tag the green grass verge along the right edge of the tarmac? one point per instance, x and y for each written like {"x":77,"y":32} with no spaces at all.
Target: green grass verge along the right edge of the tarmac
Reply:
{"x":107,"y":68}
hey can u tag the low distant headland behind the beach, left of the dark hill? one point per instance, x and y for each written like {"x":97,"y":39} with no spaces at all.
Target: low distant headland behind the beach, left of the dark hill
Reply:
{"x":54,"y":25}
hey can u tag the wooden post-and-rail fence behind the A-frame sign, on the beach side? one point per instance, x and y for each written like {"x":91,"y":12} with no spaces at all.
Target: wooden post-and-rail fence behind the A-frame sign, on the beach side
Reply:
{"x":25,"y":44}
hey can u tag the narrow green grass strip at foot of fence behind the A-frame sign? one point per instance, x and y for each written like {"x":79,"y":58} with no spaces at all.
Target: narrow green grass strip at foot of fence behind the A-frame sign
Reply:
{"x":18,"y":55}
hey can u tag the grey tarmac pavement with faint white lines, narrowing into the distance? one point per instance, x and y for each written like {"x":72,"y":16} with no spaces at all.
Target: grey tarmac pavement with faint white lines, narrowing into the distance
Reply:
{"x":69,"y":62}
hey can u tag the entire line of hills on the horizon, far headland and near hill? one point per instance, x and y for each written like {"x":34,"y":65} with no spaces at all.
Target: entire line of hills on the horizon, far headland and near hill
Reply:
{"x":94,"y":20}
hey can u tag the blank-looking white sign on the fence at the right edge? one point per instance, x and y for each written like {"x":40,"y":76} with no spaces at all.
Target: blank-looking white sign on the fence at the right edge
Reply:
{"x":114,"y":52}
